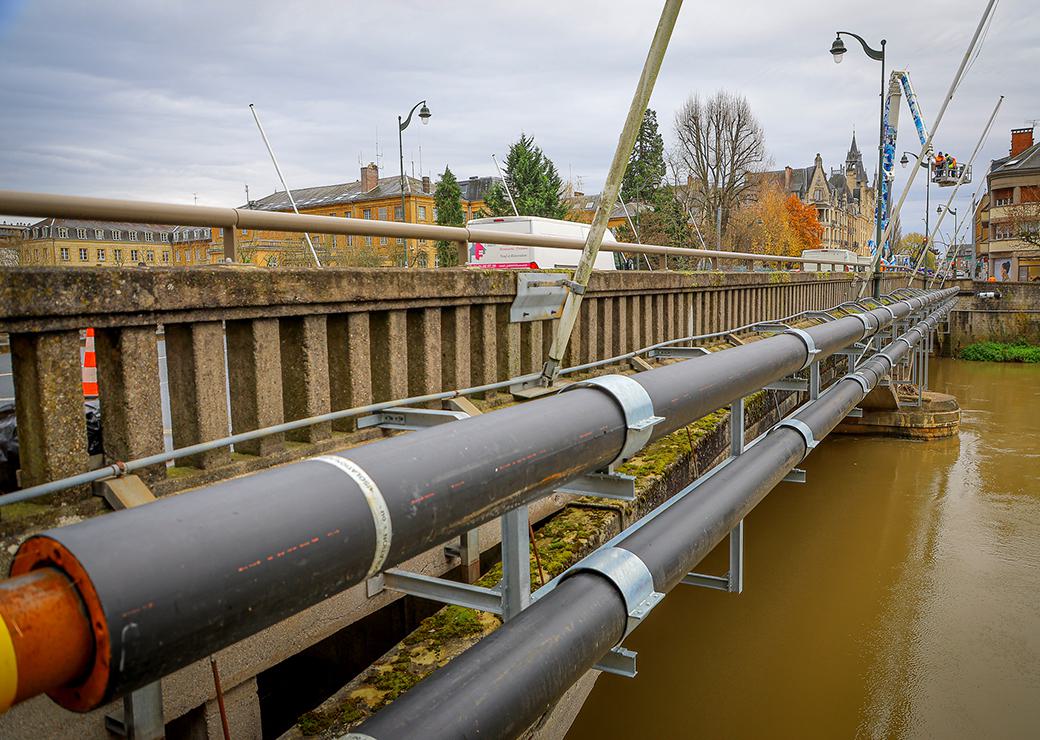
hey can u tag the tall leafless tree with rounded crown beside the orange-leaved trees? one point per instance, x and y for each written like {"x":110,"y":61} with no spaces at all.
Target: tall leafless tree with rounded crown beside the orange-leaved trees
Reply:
{"x":719,"y":144}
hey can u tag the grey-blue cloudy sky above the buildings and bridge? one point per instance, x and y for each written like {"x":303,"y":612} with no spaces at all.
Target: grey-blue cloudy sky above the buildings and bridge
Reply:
{"x":149,"y":100}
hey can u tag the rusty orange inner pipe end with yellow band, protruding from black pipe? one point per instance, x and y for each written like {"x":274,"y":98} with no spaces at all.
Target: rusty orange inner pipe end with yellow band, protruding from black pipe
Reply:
{"x":46,"y":640}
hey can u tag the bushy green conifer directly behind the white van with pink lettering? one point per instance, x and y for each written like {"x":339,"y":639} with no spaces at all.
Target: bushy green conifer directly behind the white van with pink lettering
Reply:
{"x":533,"y":180}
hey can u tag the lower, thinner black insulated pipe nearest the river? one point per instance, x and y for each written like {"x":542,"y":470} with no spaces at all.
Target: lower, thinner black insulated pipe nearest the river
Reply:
{"x":505,"y":683}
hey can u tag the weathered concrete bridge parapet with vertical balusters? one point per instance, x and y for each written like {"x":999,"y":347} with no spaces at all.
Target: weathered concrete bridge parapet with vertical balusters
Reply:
{"x":295,"y":343}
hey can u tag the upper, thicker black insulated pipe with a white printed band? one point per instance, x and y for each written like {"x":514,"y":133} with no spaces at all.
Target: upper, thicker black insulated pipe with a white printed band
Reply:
{"x":189,"y":575}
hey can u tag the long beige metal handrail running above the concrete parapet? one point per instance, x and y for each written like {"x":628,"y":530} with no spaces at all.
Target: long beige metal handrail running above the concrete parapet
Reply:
{"x":103,"y":209}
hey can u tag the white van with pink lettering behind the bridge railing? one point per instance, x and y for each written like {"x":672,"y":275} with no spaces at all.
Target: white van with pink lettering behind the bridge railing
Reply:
{"x":505,"y":256}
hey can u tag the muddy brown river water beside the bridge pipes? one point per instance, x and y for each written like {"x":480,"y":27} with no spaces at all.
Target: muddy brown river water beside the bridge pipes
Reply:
{"x":896,"y":595}
